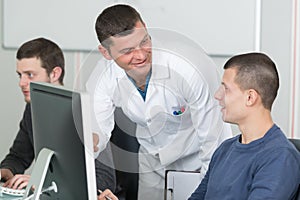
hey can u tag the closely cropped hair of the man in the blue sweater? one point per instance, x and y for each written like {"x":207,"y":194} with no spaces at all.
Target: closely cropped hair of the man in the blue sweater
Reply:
{"x":256,"y":71}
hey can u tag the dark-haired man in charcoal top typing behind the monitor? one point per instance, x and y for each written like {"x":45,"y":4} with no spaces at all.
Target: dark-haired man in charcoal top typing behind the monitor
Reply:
{"x":39,"y":60}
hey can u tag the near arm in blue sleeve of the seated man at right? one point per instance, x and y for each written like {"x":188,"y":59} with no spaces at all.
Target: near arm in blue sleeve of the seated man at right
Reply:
{"x":277,"y":176}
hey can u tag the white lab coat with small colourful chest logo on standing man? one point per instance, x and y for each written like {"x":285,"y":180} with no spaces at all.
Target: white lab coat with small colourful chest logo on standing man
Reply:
{"x":179,"y":142}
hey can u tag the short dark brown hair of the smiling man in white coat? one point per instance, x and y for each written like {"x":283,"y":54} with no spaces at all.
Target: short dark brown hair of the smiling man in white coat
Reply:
{"x":117,"y":20}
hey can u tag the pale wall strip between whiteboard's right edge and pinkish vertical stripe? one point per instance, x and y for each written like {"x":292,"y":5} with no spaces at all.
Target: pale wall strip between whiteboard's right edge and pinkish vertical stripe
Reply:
{"x":277,"y":41}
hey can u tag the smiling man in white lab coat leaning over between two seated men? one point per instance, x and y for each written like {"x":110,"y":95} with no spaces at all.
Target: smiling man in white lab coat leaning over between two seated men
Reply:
{"x":168,"y":96}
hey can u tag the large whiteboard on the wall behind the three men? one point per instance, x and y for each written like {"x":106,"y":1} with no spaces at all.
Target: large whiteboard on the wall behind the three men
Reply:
{"x":220,"y":27}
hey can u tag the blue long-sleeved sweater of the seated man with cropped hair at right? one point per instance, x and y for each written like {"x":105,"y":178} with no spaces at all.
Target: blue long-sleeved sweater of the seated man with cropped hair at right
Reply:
{"x":267,"y":168}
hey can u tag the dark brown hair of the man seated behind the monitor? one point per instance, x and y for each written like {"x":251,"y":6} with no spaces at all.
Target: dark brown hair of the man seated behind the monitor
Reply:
{"x":48,"y":52}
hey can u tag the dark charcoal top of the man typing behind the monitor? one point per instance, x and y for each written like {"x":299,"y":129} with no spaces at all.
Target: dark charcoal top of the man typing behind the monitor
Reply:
{"x":21,"y":155}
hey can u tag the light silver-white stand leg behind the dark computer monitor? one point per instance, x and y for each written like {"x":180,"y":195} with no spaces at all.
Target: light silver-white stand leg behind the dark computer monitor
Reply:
{"x":37,"y":178}
